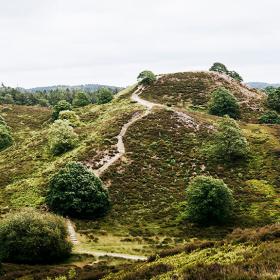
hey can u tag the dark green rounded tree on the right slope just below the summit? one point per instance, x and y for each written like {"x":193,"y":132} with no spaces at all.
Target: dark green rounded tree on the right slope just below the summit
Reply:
{"x":223,"y":103}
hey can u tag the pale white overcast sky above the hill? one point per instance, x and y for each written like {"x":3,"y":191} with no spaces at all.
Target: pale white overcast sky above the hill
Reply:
{"x":110,"y":41}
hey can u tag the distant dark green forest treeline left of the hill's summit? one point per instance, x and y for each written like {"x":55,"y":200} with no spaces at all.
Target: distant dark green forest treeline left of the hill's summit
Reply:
{"x":45,"y":98}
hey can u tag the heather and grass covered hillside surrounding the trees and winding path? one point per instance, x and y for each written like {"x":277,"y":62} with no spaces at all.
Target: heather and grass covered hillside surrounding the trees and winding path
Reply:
{"x":164,"y":150}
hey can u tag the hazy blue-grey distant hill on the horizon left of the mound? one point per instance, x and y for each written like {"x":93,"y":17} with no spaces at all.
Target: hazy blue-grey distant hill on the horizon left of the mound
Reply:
{"x":86,"y":87}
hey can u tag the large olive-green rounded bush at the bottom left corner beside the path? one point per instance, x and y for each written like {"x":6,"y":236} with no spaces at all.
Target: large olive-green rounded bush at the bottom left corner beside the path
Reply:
{"x":33,"y":237}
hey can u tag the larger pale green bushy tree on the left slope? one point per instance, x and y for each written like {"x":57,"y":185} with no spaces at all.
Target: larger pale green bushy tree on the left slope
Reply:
{"x":62,"y":137}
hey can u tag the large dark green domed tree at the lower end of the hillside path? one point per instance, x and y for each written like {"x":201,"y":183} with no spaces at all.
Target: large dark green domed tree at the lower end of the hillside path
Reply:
{"x":76,"y":191}
